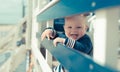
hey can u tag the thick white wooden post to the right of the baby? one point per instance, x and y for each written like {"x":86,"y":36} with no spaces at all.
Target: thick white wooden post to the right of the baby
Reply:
{"x":106,"y":36}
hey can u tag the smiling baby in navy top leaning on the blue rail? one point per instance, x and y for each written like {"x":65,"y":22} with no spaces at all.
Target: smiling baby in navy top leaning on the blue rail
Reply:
{"x":75,"y":34}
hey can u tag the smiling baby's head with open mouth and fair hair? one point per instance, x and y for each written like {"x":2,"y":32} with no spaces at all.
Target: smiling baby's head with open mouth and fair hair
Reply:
{"x":75,"y":27}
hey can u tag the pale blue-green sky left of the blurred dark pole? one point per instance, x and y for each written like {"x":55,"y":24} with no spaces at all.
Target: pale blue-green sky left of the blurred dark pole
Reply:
{"x":10,"y":11}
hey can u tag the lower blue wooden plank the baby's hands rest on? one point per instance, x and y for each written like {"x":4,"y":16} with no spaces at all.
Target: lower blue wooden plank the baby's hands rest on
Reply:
{"x":73,"y":60}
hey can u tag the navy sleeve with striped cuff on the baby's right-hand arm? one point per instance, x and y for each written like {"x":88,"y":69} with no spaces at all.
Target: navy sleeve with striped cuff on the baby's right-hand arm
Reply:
{"x":83,"y":45}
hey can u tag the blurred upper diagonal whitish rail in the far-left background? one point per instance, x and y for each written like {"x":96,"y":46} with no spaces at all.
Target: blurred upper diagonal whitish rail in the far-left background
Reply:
{"x":13,"y":35}
